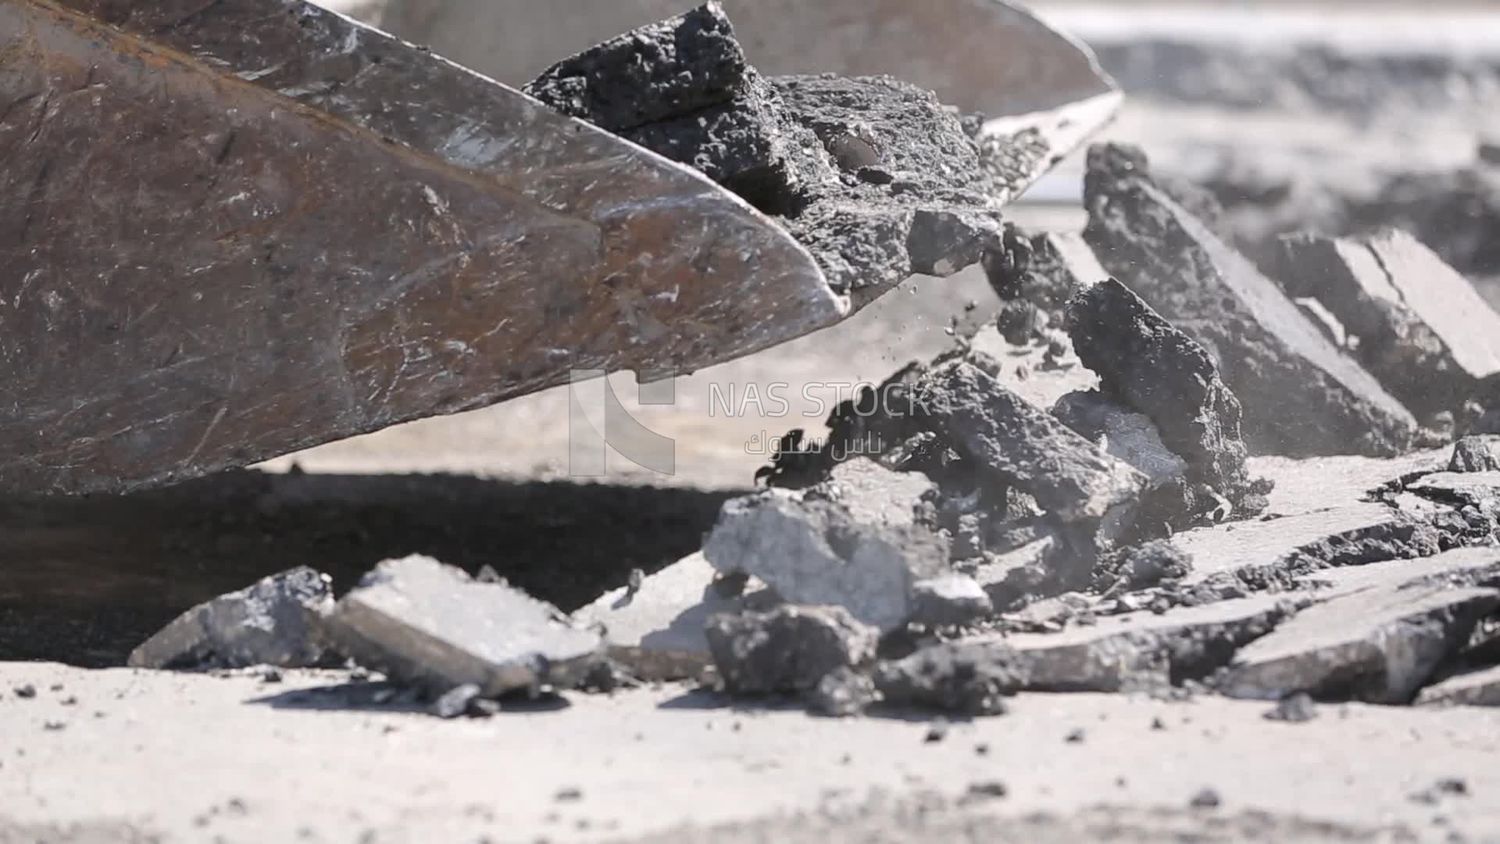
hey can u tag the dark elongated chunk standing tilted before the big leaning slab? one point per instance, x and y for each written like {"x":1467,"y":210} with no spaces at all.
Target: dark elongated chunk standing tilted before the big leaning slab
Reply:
{"x":1153,"y":368}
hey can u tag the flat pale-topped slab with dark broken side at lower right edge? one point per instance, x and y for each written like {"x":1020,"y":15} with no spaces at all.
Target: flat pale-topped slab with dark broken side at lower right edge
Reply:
{"x":1379,"y":645}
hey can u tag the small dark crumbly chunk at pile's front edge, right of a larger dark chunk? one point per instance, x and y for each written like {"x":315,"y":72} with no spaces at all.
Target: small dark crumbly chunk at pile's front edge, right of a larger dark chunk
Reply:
{"x":953,"y":677}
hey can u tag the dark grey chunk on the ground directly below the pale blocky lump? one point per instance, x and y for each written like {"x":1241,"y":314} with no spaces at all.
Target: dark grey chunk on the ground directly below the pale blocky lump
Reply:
{"x":790,"y":648}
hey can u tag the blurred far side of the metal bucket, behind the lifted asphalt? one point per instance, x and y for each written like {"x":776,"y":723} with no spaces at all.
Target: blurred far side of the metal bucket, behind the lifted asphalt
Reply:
{"x":983,"y":56}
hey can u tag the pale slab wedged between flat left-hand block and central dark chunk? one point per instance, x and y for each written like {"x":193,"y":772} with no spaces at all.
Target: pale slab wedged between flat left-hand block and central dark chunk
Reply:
{"x":658,"y":632}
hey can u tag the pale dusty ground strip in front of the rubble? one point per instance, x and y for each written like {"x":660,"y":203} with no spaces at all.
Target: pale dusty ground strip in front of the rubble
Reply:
{"x":671,"y":765}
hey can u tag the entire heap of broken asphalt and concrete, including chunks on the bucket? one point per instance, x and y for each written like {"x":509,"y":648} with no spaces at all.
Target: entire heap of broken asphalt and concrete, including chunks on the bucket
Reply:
{"x":1078,"y":497}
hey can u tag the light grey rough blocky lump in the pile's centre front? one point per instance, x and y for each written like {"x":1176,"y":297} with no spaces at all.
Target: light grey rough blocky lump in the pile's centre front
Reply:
{"x":851,"y":542}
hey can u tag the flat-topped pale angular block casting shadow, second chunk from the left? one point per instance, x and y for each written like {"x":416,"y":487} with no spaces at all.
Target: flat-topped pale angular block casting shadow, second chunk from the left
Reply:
{"x":425,"y":623}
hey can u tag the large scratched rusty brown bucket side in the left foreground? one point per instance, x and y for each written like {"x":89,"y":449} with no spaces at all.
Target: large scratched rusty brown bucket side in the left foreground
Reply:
{"x":236,"y":230}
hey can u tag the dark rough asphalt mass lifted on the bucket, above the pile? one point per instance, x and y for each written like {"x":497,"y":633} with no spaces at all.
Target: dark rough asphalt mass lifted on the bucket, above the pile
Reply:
{"x":874,"y":176}
